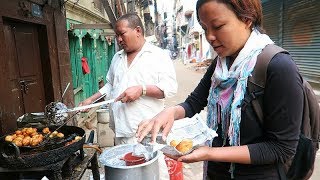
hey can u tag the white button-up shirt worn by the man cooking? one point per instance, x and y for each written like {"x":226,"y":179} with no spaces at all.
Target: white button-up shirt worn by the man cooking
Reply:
{"x":151,"y":66}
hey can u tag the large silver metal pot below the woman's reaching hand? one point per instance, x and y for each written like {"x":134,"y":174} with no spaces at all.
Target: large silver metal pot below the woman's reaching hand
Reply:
{"x":116,"y":169}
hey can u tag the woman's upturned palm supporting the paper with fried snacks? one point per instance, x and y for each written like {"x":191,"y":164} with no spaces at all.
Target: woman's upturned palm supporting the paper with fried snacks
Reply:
{"x":199,"y":154}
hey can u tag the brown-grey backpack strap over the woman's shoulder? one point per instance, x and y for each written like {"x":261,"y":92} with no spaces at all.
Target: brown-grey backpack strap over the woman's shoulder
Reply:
{"x":256,"y":82}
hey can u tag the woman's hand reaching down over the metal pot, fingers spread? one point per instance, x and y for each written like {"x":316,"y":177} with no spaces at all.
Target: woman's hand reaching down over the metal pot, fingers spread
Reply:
{"x":162,"y":121}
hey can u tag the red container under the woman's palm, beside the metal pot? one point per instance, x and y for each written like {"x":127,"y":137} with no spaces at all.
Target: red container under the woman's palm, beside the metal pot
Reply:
{"x":174,"y":168}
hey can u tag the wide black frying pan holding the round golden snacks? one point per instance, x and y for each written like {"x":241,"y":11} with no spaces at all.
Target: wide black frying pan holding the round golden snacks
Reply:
{"x":13,"y":157}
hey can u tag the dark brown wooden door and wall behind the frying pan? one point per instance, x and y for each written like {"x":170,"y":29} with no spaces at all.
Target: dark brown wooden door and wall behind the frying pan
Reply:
{"x":34,"y":58}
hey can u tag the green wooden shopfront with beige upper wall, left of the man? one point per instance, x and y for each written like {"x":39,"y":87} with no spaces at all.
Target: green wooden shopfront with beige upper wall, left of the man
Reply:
{"x":91,"y":42}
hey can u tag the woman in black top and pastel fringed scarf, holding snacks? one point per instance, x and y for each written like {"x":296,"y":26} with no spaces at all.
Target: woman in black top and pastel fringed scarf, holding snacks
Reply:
{"x":244,"y":149}
